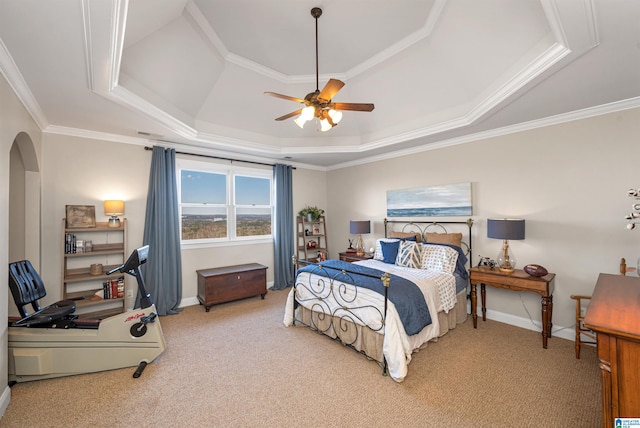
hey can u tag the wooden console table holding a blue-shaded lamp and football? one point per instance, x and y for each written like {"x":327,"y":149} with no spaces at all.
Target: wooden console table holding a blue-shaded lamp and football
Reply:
{"x":518,"y":280}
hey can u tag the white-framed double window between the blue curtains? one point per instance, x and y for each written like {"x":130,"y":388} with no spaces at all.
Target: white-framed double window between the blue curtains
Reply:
{"x":219,"y":203}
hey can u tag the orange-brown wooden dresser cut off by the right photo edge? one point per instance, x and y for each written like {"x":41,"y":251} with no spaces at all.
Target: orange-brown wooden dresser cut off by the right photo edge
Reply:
{"x":614,"y":314}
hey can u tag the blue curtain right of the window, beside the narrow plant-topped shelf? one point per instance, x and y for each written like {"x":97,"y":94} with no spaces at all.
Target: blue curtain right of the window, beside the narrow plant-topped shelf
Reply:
{"x":283,"y":237}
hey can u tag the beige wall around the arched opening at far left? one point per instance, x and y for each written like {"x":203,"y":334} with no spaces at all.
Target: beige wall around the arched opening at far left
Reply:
{"x":14,"y":120}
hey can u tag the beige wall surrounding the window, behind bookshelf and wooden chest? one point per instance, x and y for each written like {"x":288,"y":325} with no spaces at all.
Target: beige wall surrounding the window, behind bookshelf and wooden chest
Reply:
{"x":81,"y":171}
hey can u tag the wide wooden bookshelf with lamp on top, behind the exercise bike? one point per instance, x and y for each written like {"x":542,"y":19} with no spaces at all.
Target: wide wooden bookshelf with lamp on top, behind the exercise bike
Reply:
{"x":79,"y":284}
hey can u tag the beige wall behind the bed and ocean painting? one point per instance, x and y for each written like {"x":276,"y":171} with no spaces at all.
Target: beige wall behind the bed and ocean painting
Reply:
{"x":568,"y":182}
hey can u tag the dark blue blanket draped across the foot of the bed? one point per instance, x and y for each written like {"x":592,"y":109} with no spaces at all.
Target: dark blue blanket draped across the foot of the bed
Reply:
{"x":405,"y":295}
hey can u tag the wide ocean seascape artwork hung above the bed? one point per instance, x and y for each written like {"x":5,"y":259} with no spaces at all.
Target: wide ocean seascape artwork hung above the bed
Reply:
{"x":437,"y":201}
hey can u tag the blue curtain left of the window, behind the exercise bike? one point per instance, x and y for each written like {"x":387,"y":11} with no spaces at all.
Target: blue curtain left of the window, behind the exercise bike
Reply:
{"x":163,"y":270}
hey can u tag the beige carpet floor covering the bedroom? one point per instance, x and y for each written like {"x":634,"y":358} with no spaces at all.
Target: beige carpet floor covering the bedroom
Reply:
{"x":239,"y":366}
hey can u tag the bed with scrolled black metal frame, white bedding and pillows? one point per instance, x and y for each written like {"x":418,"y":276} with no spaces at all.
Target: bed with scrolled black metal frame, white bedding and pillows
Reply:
{"x":413,"y":291}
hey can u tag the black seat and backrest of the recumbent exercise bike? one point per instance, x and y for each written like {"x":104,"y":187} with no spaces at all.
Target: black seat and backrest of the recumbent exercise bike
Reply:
{"x":27,"y":288}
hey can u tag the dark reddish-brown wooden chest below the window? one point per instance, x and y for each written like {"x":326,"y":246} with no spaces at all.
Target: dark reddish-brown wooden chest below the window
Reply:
{"x":224,"y":284}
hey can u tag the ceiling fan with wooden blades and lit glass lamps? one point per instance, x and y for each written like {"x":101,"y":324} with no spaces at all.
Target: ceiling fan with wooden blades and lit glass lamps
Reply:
{"x":319,"y":103}
